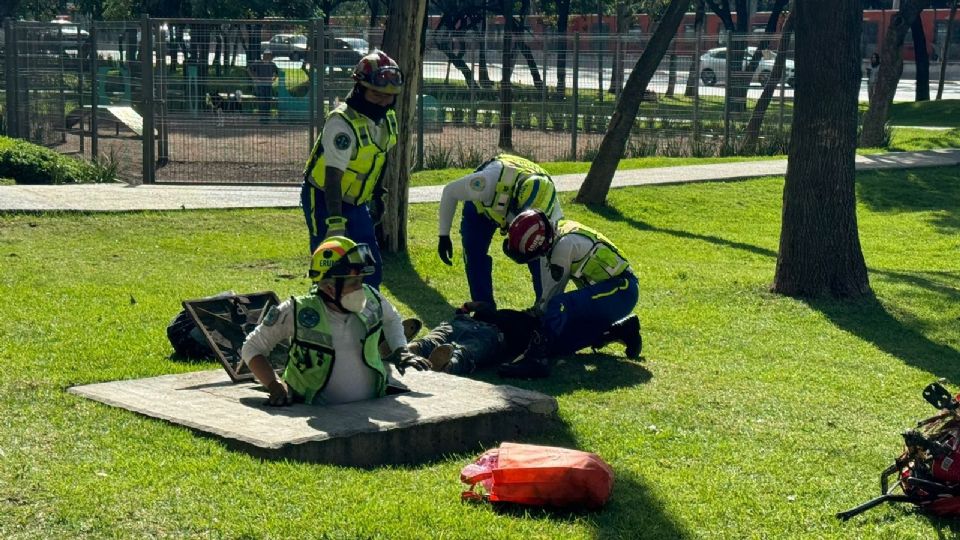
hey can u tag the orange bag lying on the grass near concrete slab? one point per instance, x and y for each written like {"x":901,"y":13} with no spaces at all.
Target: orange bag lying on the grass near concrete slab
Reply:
{"x":539,"y":476}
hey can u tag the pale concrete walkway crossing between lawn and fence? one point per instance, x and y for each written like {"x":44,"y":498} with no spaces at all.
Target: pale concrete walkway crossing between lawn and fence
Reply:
{"x":121,"y":197}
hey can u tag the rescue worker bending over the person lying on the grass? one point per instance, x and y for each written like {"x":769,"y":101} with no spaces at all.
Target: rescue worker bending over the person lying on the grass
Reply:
{"x":493,"y":195}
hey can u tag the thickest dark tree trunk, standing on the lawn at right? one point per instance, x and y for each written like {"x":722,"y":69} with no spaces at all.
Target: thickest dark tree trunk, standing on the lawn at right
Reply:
{"x":819,"y":245}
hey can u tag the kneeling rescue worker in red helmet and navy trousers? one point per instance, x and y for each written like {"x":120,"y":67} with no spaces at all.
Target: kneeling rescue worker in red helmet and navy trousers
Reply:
{"x":597,"y":313}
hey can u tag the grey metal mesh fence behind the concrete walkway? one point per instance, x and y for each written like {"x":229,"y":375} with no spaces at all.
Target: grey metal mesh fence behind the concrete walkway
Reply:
{"x":186,"y":100}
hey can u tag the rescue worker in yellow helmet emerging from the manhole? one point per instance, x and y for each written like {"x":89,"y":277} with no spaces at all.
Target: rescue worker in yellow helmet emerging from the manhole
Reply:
{"x":334,"y":355}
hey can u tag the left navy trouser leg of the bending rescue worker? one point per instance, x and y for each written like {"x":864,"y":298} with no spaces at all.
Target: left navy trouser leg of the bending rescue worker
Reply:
{"x":476,"y":233}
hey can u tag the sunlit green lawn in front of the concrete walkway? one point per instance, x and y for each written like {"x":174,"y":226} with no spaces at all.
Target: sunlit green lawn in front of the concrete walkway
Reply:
{"x":751,"y":415}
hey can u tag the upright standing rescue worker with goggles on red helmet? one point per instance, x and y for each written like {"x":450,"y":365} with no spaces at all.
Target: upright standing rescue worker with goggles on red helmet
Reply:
{"x":342,"y":175}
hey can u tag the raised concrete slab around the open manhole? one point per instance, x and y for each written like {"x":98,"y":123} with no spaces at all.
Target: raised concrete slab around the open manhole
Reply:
{"x":440,"y":414}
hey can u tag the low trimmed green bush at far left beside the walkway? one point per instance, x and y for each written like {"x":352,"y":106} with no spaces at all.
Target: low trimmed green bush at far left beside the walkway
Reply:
{"x":27,"y":163}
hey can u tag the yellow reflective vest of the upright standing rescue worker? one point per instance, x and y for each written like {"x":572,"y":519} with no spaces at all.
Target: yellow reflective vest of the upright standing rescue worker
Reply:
{"x":367,"y":160}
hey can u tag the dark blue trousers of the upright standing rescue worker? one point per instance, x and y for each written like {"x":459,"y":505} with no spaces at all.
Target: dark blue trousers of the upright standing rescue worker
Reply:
{"x":360,"y":227}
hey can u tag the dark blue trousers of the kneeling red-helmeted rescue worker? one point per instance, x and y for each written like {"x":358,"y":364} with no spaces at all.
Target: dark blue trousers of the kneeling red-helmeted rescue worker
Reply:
{"x":576,"y":319}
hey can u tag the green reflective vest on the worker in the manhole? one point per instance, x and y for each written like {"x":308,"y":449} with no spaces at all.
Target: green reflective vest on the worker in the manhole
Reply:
{"x":312,"y":355}
